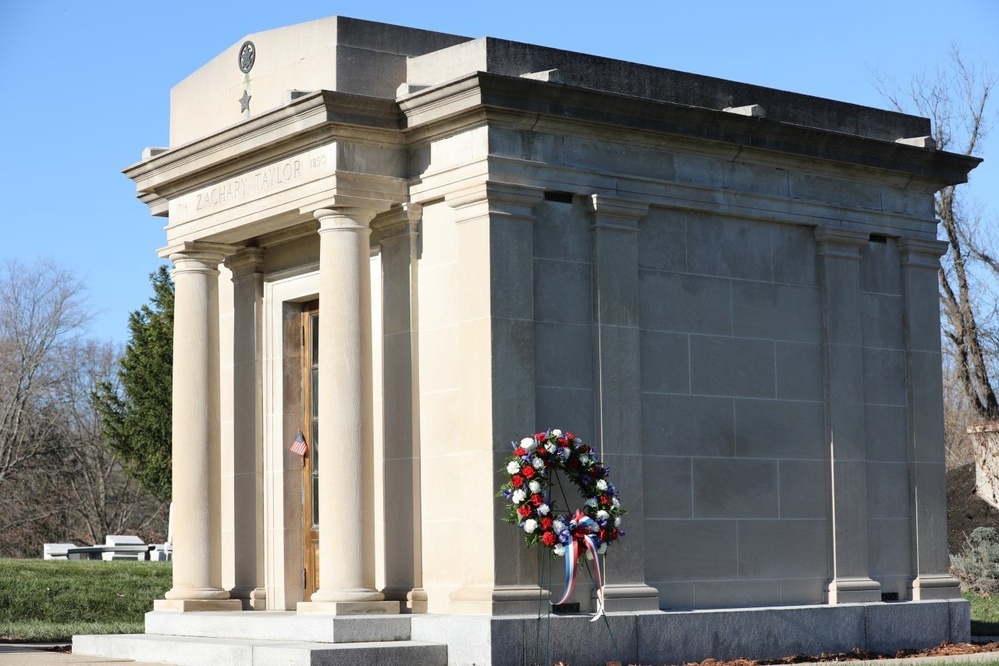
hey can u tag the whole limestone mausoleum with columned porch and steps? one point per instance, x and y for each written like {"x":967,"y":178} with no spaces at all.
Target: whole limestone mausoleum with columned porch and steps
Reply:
{"x":413,"y":248}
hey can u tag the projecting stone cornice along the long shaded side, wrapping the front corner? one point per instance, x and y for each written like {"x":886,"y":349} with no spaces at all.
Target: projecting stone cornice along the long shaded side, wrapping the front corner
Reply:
{"x":441,"y":105}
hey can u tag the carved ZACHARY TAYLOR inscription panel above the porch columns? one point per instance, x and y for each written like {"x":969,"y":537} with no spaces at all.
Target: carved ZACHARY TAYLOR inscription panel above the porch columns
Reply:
{"x":257,"y":184}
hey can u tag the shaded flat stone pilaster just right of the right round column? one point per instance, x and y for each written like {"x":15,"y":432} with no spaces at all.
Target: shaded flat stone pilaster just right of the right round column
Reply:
{"x":403,"y":516}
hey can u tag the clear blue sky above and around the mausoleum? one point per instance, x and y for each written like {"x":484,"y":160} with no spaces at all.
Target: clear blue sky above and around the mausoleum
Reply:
{"x":84,"y":87}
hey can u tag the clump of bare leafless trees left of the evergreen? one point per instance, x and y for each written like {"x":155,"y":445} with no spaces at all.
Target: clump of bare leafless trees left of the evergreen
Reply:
{"x":58,"y":479}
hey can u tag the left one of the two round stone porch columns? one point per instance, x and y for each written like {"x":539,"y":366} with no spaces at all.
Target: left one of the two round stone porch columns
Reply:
{"x":196,"y":432}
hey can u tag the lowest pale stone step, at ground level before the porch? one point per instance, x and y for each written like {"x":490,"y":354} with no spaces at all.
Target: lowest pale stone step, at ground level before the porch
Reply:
{"x":201,"y":651}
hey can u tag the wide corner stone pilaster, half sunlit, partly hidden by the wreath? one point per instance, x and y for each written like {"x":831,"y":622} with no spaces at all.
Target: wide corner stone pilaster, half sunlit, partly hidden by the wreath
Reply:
{"x":496,"y":335}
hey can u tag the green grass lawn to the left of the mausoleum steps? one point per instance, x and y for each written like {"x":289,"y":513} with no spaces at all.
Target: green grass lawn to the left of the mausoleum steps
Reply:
{"x":50,"y":600}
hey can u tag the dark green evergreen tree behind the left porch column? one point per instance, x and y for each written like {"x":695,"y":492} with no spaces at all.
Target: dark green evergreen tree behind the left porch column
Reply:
{"x":136,"y":420}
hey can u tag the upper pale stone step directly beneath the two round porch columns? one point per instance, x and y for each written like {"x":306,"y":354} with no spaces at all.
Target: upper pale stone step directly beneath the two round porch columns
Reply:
{"x":280,"y":626}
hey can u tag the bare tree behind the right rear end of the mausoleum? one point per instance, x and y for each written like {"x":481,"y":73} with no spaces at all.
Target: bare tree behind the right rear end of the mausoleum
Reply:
{"x":958,"y":102}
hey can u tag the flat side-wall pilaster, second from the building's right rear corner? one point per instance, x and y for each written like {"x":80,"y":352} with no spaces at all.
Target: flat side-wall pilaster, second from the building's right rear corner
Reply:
{"x":839,"y":275}
